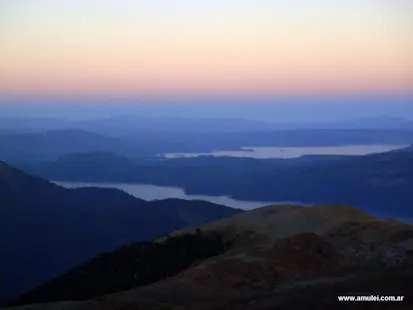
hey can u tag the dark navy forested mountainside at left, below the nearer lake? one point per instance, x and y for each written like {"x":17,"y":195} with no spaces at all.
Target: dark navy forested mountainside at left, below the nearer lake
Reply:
{"x":46,"y":229}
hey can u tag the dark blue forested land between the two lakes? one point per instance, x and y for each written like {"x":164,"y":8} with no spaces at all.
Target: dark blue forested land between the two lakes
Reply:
{"x":372,"y":181}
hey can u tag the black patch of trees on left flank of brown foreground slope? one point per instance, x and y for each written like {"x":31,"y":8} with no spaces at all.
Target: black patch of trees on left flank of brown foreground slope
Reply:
{"x":128,"y":267}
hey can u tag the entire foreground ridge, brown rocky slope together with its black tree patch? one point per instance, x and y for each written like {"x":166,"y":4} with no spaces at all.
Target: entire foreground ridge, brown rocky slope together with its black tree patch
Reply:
{"x":277,"y":257}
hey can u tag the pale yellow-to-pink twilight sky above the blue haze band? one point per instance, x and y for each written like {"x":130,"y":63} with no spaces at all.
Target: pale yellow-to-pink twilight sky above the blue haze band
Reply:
{"x":166,"y":48}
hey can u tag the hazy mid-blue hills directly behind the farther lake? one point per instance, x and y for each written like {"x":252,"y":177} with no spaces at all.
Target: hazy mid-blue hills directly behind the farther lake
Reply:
{"x":49,"y":145}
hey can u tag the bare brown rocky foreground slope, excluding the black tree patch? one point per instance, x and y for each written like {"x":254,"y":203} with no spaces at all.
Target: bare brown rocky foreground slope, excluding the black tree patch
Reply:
{"x":283,"y":257}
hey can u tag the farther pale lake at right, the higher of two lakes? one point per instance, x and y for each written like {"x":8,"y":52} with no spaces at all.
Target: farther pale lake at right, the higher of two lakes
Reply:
{"x":294,"y":152}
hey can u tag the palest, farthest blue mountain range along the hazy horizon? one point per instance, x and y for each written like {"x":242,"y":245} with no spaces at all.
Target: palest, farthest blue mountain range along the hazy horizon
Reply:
{"x":124,"y":124}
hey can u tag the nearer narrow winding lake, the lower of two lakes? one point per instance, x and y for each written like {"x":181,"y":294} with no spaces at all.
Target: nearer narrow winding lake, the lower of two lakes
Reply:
{"x":153,"y":192}
